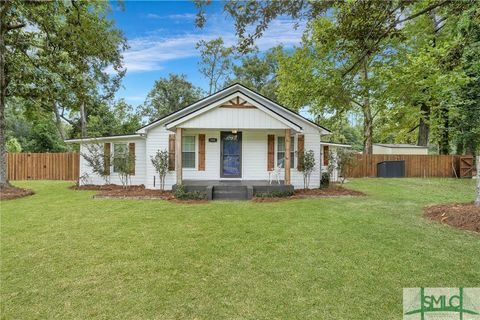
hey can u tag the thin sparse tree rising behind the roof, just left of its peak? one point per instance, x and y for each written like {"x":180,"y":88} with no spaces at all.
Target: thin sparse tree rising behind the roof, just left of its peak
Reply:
{"x":215,"y":62}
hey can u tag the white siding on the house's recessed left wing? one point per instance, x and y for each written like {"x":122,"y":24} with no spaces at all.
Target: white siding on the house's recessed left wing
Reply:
{"x":137,"y":179}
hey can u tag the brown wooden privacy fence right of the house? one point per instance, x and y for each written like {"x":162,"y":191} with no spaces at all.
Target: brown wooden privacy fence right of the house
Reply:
{"x":415,"y":165}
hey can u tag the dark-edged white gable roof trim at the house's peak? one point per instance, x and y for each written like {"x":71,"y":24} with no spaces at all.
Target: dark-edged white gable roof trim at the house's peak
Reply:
{"x":281,"y":111}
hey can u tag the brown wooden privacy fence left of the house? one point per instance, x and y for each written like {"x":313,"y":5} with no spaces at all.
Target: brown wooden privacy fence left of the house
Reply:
{"x":43,"y":166}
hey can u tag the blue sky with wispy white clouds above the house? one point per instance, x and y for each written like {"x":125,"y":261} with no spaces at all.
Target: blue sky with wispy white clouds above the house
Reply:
{"x":162,"y":37}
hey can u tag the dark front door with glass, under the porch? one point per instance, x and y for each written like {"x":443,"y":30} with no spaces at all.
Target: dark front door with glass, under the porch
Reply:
{"x":231,"y":155}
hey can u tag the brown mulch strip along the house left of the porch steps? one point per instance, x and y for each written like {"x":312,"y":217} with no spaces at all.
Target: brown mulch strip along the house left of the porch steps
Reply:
{"x":116,"y":191}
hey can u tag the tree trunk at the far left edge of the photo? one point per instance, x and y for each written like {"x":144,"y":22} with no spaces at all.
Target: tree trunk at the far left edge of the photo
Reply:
{"x":3,"y":93}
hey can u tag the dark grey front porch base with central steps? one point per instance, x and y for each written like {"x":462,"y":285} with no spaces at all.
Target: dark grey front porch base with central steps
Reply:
{"x":234,"y":189}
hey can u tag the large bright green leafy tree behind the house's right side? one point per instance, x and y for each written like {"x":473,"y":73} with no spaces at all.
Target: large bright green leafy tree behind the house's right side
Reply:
{"x":355,"y":41}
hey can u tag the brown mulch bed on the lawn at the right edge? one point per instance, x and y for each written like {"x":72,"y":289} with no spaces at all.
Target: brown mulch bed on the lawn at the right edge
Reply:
{"x":460,"y":215}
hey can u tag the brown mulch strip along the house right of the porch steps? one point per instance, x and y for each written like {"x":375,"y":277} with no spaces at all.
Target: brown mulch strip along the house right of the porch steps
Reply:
{"x":332,"y":191}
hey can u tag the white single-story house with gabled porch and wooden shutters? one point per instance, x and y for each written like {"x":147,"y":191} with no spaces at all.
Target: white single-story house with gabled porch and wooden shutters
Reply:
{"x":235,"y":135}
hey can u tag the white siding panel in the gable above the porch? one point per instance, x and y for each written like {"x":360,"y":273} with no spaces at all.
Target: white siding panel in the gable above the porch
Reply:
{"x":227,"y":118}
